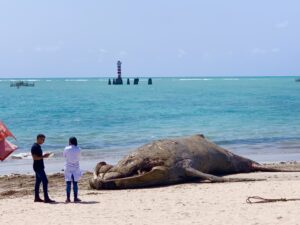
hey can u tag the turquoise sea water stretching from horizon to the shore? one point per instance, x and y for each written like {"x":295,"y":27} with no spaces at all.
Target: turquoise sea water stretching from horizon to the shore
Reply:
{"x":256,"y":117}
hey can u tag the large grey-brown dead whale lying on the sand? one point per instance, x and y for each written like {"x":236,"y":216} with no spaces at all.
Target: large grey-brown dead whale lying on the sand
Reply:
{"x":172,"y":161}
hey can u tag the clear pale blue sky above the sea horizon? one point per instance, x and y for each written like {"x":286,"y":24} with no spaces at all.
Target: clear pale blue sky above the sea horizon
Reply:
{"x":73,"y":38}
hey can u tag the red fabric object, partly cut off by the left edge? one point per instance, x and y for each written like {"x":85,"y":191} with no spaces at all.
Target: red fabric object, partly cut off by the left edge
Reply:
{"x":6,"y":147}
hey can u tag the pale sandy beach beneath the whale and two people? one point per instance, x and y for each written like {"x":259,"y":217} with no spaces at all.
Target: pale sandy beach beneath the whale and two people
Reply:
{"x":189,"y":203}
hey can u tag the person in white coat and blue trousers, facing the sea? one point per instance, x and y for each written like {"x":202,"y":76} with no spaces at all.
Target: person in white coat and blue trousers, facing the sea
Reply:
{"x":72,"y":169}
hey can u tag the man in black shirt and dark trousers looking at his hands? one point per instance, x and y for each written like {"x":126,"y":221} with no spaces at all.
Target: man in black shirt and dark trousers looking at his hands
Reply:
{"x":38,"y":167}
